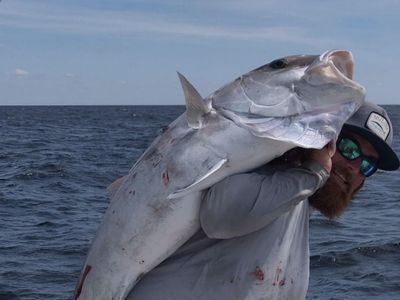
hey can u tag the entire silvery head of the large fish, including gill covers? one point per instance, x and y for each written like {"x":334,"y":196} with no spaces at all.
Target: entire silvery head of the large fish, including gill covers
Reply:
{"x":304,"y":99}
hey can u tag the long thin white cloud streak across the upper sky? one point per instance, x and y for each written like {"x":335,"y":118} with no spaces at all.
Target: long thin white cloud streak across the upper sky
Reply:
{"x":56,"y":19}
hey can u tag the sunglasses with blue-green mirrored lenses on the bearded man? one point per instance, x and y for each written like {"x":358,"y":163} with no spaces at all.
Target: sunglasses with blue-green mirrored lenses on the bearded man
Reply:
{"x":351,"y":150}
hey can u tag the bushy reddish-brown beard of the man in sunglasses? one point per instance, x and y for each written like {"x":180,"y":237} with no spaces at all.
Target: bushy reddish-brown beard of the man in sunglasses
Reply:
{"x":334,"y":197}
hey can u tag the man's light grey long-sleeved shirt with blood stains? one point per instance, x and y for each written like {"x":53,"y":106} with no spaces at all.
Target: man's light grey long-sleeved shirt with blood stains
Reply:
{"x":254,"y":241}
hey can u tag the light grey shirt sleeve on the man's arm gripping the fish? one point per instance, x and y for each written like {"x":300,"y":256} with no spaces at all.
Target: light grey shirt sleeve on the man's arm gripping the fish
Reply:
{"x":244,"y":203}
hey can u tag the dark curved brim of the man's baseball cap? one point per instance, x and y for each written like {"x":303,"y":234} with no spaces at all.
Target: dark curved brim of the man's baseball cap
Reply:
{"x":388,"y":159}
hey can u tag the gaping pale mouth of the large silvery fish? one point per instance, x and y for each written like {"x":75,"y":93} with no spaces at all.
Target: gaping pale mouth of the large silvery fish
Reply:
{"x":334,"y":66}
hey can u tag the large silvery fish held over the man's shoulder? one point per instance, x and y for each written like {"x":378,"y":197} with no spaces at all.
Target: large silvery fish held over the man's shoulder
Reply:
{"x":296,"y":101}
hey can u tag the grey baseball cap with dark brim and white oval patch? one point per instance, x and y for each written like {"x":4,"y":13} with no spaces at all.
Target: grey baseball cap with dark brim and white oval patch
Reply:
{"x":372,"y":122}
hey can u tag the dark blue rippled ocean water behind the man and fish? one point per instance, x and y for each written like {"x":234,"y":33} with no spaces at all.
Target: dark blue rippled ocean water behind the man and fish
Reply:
{"x":57,"y":161}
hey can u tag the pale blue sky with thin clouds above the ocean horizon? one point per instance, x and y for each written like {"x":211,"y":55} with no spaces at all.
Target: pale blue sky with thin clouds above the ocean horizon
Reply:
{"x":120,"y":52}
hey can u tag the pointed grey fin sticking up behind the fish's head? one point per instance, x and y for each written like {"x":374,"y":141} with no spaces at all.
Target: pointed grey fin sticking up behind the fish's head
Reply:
{"x":196,"y":107}
